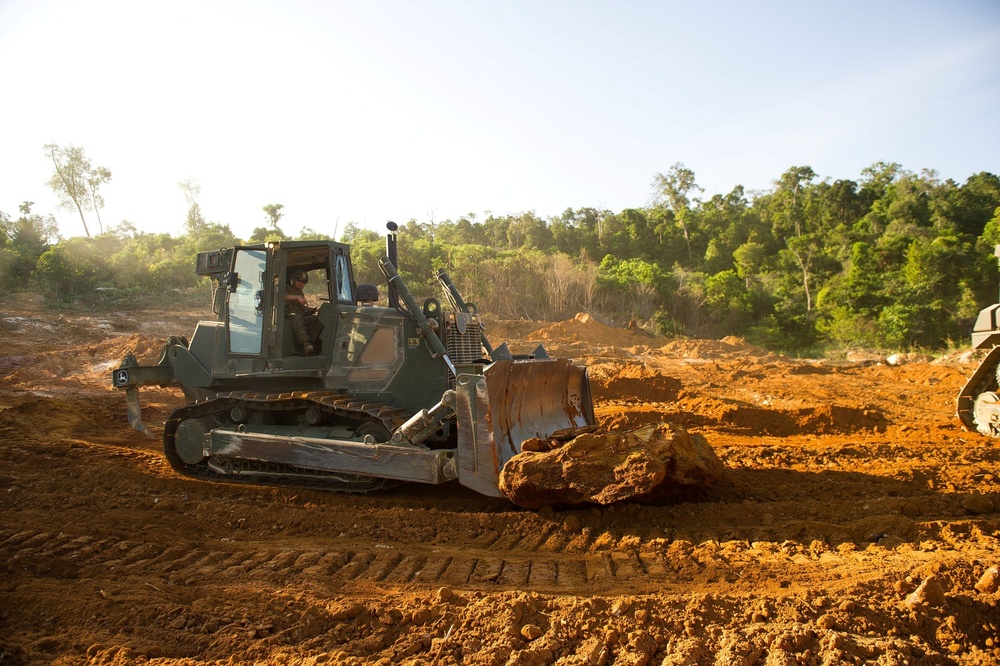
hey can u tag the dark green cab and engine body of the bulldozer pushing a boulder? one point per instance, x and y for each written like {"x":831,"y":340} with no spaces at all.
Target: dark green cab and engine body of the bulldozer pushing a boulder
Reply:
{"x":357,"y":346}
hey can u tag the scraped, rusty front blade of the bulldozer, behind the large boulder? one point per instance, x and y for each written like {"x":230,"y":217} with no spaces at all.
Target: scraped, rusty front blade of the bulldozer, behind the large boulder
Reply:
{"x":513,"y":401}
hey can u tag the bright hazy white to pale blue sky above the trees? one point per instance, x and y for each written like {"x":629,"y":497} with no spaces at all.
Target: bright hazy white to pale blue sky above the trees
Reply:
{"x":373,"y":110}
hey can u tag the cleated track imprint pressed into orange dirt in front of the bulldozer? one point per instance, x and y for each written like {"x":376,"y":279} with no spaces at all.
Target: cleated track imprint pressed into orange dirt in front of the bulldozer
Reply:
{"x":506,"y":570}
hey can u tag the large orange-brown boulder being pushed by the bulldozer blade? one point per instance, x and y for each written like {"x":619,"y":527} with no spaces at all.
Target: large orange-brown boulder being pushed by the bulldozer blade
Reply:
{"x":589,"y":466}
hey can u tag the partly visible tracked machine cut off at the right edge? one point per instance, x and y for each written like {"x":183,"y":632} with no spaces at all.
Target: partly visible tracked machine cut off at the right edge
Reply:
{"x":978,"y":403}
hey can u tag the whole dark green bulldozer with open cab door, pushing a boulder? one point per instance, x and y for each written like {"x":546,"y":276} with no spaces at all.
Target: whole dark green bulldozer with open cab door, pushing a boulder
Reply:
{"x":388,"y":392}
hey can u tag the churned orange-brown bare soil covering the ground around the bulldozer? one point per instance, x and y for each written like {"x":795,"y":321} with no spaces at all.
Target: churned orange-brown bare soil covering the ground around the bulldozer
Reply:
{"x":858,"y":524}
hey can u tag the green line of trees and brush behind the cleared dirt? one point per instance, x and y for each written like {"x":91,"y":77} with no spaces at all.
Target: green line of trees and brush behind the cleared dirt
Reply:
{"x":890,"y":260}
